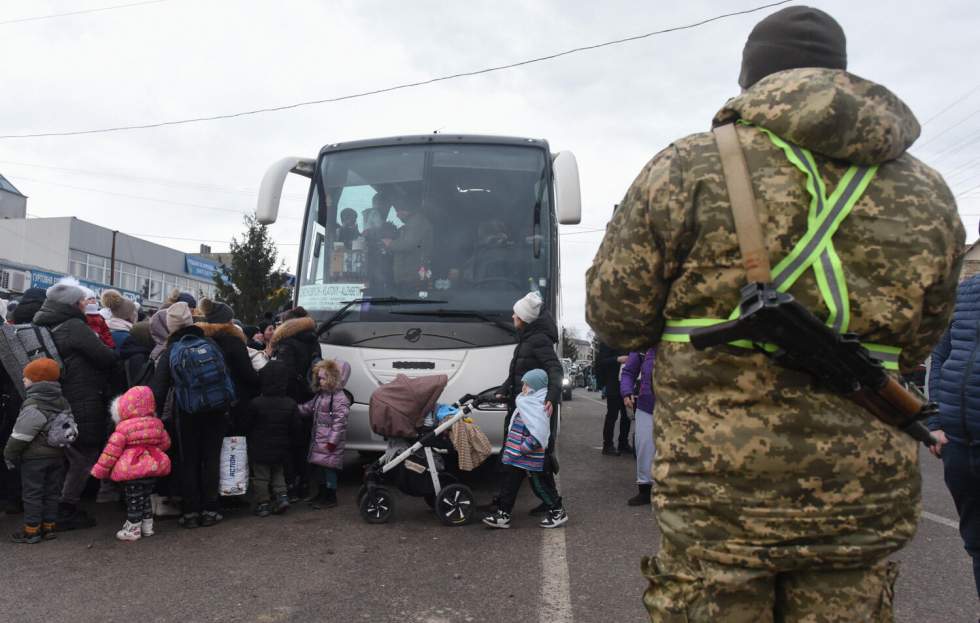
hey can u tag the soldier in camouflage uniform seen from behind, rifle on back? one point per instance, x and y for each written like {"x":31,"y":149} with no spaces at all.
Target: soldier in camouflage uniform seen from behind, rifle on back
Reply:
{"x":777,"y":500}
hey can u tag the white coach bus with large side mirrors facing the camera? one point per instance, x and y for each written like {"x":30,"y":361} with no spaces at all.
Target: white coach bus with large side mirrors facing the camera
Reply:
{"x":413,"y":251}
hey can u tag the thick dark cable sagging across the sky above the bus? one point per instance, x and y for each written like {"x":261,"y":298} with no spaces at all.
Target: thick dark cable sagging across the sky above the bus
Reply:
{"x":397,"y":87}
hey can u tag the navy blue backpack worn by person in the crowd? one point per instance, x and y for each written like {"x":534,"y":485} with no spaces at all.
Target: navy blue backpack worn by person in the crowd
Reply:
{"x":201,"y":380}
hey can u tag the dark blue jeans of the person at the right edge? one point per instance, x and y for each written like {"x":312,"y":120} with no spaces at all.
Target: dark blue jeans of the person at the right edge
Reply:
{"x":961,"y":463}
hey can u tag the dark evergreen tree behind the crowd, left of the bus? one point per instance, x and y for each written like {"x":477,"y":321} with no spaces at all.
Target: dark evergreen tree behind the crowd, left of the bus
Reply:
{"x":255,"y":281}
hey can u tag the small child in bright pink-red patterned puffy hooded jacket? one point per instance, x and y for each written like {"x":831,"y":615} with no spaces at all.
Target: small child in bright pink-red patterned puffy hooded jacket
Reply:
{"x":135,"y":456}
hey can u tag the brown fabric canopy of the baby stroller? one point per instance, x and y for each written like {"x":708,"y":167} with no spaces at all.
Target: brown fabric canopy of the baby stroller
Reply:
{"x":398,"y":408}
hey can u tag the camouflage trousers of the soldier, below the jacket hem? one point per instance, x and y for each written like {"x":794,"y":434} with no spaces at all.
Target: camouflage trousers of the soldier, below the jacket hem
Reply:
{"x":683,"y":589}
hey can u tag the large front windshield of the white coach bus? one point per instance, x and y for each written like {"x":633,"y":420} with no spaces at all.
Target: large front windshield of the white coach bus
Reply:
{"x":467,"y":225}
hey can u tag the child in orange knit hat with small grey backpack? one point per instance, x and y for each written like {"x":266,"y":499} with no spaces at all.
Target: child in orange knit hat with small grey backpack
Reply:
{"x":39,"y":454}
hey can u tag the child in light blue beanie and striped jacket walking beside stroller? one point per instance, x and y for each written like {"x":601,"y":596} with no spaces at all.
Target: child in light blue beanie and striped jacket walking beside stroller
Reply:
{"x":523,"y":455}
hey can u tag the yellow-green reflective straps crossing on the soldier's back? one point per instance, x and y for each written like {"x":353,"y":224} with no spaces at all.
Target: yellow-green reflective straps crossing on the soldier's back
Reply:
{"x":814,"y":250}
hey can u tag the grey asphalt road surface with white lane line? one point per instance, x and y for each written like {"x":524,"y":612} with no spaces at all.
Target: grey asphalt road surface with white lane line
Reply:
{"x":329,"y":565}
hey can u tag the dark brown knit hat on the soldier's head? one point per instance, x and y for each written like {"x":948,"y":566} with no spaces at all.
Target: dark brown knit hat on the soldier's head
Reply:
{"x":794,"y":37}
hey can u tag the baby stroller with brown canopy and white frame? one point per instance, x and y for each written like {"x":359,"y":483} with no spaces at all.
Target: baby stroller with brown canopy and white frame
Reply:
{"x":405,"y":412}
